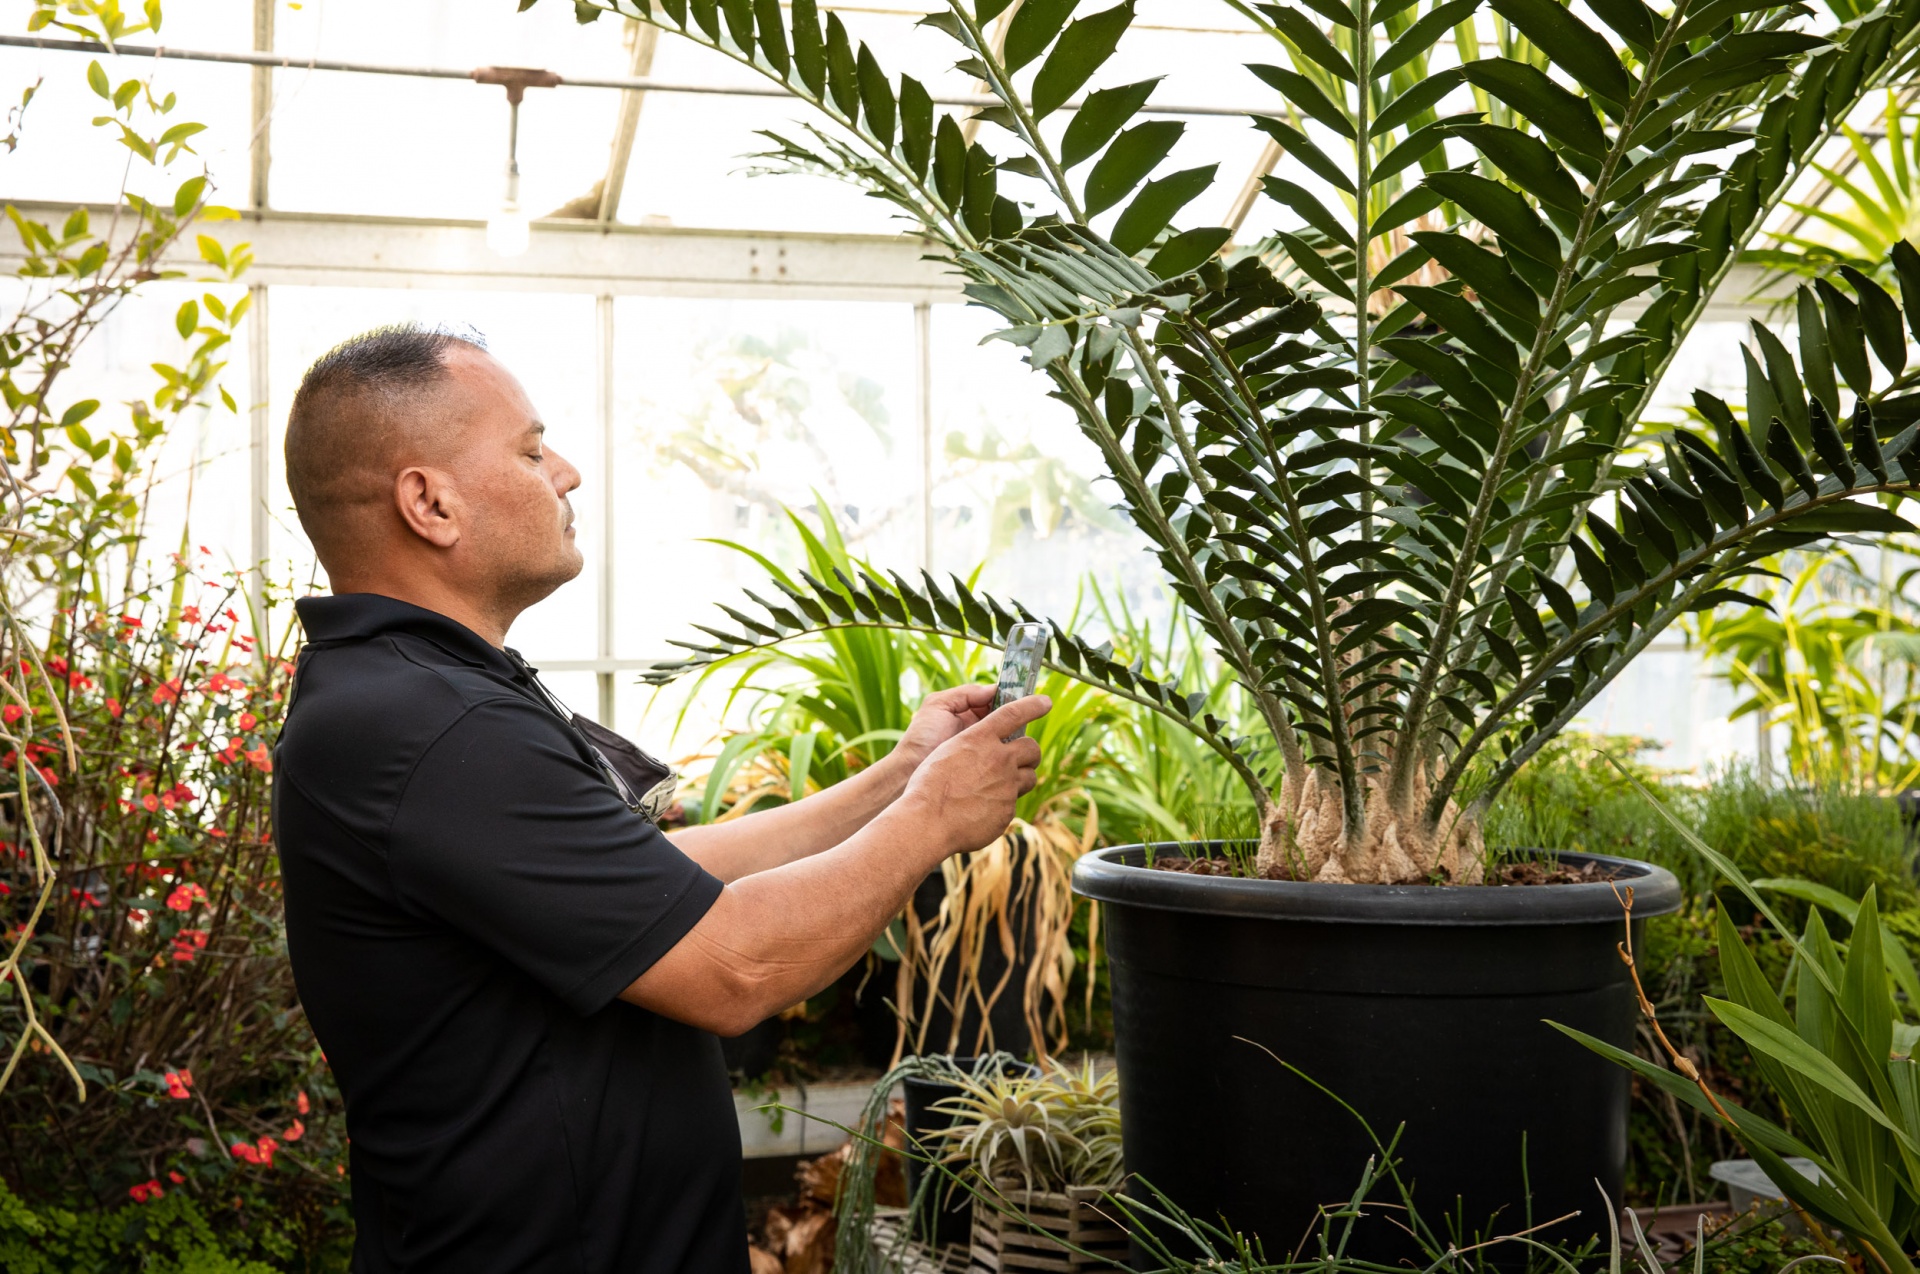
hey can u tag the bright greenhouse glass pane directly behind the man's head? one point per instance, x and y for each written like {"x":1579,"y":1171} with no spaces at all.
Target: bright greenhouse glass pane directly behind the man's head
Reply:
{"x":544,"y":341}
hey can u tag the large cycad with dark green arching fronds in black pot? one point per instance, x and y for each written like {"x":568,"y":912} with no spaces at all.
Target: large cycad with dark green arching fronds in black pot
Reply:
{"x":1395,"y":496}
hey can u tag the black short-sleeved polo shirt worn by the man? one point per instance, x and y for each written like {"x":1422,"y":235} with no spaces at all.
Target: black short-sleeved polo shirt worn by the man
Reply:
{"x":466,"y":899}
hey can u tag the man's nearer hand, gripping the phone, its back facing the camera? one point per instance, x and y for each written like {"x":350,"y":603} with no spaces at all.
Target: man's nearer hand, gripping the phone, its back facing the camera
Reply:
{"x":969,"y":786}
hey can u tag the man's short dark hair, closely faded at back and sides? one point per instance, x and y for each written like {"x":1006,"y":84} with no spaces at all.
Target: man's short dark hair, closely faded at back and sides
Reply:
{"x":343,"y":402}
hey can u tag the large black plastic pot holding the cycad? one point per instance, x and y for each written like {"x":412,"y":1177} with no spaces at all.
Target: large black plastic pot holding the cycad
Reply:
{"x":1414,"y":1004}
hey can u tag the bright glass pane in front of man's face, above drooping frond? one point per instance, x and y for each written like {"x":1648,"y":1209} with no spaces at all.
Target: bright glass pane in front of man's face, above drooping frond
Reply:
{"x":732,"y":412}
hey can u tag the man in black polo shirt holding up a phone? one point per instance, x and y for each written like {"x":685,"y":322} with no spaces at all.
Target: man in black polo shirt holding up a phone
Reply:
{"x":517,"y":979}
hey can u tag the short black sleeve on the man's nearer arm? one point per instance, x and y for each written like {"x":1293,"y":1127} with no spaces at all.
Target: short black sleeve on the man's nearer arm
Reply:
{"x":512,"y":838}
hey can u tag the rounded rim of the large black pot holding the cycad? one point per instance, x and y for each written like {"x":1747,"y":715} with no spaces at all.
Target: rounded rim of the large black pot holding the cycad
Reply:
{"x":1118,"y":878}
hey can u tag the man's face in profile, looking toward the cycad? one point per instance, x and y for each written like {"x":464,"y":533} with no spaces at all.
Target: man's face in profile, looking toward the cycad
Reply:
{"x":519,"y":531}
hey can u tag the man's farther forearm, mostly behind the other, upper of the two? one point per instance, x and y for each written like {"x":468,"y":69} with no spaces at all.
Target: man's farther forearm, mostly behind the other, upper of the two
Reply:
{"x":769,"y":839}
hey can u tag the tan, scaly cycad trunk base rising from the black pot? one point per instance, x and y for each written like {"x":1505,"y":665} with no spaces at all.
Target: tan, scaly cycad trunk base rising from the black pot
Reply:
{"x":1305,"y":838}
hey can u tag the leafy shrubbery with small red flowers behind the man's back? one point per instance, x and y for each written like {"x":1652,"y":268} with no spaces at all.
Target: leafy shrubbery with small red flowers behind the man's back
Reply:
{"x":153,"y":1039}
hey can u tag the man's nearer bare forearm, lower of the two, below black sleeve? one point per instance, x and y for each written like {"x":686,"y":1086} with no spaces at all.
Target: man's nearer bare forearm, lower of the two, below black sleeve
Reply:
{"x":782,"y":935}
